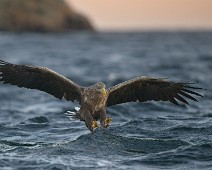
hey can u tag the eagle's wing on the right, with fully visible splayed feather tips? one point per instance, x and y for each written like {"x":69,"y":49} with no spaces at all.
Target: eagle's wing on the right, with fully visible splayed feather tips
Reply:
{"x":145,"y":89}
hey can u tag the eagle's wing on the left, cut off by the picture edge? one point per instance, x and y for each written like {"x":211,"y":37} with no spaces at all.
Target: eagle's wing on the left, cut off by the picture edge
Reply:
{"x":40,"y":78}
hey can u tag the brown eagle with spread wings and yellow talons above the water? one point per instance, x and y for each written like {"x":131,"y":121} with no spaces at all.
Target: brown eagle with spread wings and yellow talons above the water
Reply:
{"x":93,"y":100}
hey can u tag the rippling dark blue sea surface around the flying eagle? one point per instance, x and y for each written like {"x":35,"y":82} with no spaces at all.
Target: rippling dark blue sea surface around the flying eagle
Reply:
{"x":36,"y":133}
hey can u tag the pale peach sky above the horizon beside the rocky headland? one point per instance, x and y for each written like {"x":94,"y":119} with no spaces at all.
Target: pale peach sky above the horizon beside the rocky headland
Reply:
{"x":146,"y":14}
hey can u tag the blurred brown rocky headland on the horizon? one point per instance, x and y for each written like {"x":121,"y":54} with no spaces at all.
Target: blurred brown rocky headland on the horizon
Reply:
{"x":40,"y":16}
